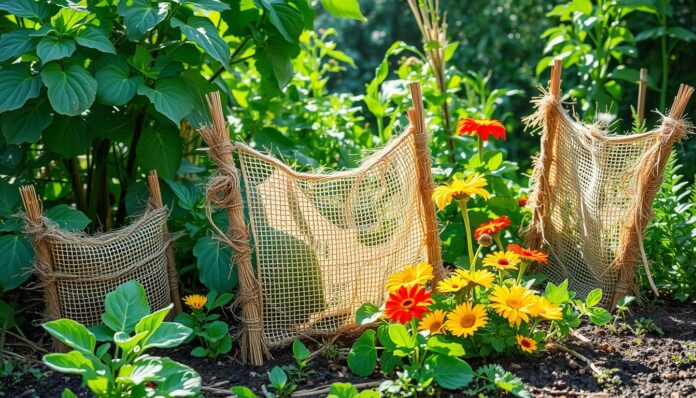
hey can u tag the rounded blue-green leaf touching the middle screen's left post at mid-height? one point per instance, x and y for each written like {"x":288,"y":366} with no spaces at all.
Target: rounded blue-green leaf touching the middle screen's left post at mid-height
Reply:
{"x":215,"y":265}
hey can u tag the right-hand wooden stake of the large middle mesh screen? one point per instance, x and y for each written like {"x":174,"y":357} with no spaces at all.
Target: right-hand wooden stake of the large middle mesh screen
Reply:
{"x":425,"y":180}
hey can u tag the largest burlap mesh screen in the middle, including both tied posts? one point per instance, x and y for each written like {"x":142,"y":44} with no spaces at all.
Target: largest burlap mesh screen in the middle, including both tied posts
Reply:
{"x":323,"y":243}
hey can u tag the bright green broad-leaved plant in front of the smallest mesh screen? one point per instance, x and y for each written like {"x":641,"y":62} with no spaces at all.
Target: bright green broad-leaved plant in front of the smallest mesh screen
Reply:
{"x":126,"y":370}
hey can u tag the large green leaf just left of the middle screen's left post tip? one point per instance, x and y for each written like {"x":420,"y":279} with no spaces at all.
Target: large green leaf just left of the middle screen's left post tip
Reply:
{"x":171,"y":97}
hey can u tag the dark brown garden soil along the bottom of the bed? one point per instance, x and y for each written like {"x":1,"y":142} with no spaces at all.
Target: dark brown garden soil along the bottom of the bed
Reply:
{"x":645,"y":364}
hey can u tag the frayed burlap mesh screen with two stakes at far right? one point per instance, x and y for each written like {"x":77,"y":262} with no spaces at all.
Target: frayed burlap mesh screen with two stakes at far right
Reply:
{"x":593,"y":192}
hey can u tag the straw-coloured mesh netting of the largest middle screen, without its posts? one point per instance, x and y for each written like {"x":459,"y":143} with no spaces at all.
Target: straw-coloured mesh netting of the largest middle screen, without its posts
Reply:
{"x":326,"y":243}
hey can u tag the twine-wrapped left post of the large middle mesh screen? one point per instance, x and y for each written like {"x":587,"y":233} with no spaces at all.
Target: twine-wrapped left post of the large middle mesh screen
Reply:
{"x":224,"y":190}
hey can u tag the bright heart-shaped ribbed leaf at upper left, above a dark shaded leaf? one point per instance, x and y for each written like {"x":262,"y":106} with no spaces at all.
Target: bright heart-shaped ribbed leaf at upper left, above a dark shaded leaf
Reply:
{"x":71,"y":90}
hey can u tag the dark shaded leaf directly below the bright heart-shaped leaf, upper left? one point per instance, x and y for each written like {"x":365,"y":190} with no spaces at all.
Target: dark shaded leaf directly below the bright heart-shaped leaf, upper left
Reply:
{"x":67,"y":136}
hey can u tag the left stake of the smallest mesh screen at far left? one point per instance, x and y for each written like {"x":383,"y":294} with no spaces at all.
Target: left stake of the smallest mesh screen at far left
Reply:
{"x":43,"y":260}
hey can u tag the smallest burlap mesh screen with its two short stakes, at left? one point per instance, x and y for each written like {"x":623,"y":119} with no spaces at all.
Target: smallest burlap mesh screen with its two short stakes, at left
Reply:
{"x":77,"y":271}
